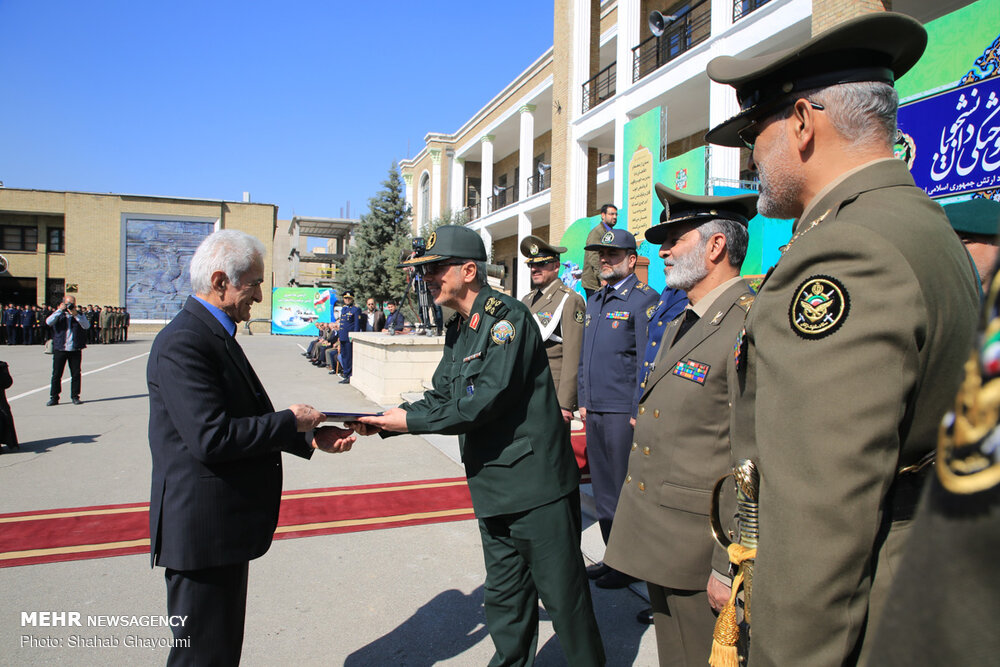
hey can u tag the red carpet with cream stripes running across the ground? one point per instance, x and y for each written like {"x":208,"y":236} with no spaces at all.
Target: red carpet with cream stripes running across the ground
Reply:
{"x":48,"y":536}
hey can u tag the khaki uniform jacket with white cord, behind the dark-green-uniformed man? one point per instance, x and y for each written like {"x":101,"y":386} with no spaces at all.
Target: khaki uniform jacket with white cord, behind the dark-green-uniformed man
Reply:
{"x":564,"y":357}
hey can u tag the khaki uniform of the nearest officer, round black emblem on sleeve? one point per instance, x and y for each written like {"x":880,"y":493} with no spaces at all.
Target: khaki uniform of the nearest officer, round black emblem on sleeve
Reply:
{"x":852,"y":353}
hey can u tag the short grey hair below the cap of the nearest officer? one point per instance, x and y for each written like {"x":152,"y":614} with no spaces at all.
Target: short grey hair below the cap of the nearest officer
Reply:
{"x":864,"y":113}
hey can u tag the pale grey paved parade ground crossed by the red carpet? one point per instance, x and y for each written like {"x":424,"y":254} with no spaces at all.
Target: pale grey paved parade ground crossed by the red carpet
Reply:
{"x":377,"y":559}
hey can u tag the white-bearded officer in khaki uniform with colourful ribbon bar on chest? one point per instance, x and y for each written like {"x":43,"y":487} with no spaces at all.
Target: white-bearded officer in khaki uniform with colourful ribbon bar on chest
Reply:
{"x":681,"y":442}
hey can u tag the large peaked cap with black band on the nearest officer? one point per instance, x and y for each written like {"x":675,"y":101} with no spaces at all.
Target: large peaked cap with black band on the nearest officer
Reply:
{"x":880,"y":46}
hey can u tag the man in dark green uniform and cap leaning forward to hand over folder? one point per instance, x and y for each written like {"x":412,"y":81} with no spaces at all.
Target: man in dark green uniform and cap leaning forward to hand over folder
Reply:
{"x":494,"y":389}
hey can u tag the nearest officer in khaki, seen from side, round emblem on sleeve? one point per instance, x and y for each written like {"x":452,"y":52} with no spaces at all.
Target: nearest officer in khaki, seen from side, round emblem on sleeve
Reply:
{"x":853,"y":348}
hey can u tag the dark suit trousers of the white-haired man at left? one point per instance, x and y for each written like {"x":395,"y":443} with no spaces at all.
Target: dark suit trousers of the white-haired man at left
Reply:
{"x":214,"y":600}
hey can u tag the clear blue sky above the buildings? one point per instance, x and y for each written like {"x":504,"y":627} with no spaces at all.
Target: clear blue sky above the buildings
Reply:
{"x":305,"y":104}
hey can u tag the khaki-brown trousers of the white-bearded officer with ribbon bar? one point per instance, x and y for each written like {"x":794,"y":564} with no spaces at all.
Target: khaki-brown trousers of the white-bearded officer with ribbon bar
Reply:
{"x":684,"y":623}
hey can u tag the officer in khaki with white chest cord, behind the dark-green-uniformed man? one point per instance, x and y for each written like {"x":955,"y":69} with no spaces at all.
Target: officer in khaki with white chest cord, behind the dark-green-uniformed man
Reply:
{"x":559,"y":312}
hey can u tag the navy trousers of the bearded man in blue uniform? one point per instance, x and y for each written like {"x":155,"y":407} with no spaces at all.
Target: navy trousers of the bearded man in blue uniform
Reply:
{"x":609,"y":437}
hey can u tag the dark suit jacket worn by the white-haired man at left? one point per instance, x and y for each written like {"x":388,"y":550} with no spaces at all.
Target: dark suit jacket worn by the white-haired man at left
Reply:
{"x":215,"y":441}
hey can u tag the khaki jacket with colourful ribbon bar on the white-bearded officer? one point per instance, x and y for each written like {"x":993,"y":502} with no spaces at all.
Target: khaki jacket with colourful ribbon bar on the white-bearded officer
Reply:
{"x":680,"y":449}
